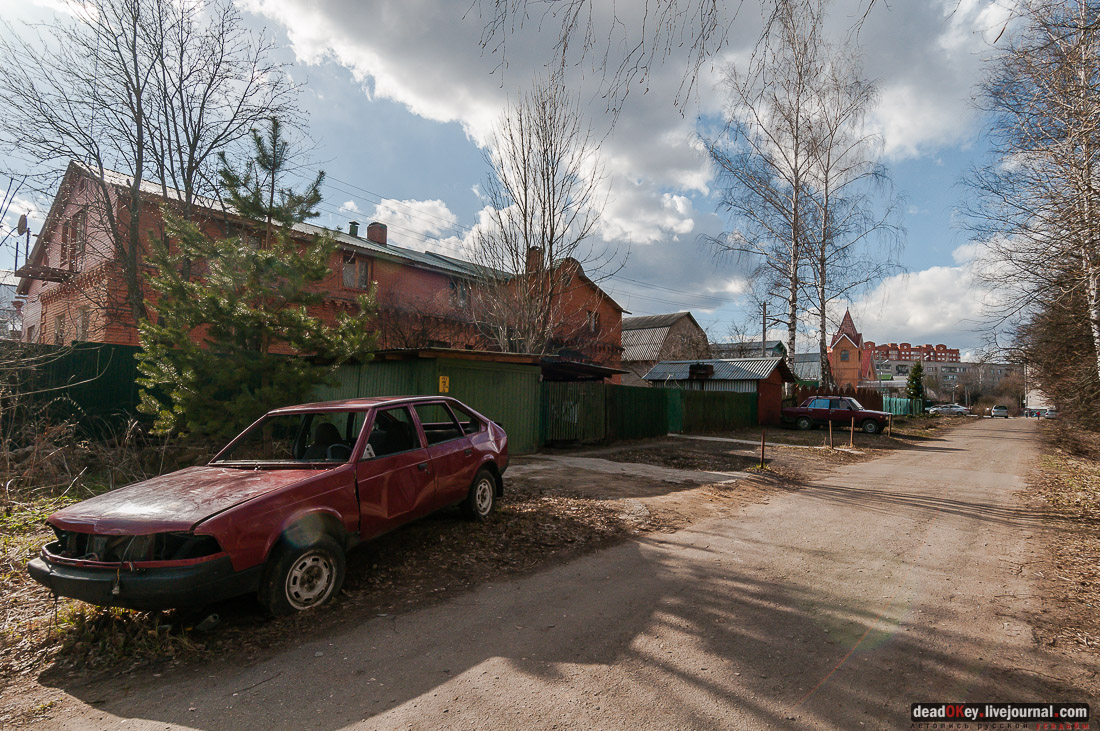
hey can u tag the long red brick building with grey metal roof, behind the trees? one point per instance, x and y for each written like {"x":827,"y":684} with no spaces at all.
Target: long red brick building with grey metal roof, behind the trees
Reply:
{"x":72,"y":286}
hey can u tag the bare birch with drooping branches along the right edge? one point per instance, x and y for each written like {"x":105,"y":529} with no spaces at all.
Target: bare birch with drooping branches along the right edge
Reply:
{"x":1038,"y":204}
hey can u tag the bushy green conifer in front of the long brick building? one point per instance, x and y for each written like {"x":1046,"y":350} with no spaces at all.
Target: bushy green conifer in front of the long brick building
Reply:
{"x":217,"y":355}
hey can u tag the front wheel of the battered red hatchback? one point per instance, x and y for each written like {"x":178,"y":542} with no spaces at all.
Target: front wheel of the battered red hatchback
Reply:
{"x":301,"y":579}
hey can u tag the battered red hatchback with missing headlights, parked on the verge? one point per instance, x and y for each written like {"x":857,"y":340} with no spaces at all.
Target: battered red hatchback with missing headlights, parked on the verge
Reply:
{"x":276,"y":512}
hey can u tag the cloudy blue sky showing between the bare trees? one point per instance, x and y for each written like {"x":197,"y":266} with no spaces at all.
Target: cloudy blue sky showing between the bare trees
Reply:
{"x":402,"y":99}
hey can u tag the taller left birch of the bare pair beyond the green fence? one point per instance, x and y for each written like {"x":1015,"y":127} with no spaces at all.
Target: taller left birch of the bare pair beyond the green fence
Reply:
{"x":765,"y":158}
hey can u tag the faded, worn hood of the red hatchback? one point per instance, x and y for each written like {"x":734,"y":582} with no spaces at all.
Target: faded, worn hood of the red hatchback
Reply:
{"x":173,"y":503}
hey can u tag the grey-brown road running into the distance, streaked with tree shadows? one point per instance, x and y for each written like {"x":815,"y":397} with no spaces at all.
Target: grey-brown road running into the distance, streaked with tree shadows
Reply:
{"x":890,"y":582}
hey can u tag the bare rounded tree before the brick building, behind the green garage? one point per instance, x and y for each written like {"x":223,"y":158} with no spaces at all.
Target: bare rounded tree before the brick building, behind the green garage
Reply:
{"x":544,"y":201}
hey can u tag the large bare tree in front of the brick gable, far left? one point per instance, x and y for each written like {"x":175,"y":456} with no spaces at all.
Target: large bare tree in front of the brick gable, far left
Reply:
{"x":150,"y":90}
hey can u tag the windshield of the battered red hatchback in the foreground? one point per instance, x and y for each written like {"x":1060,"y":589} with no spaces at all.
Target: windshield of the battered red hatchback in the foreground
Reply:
{"x":300,"y":437}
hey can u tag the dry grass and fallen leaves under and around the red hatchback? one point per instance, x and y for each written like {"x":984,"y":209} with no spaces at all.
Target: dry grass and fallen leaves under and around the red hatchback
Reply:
{"x":422,"y":563}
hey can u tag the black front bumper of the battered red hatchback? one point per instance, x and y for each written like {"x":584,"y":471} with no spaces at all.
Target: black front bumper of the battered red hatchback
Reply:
{"x":134,"y":588}
